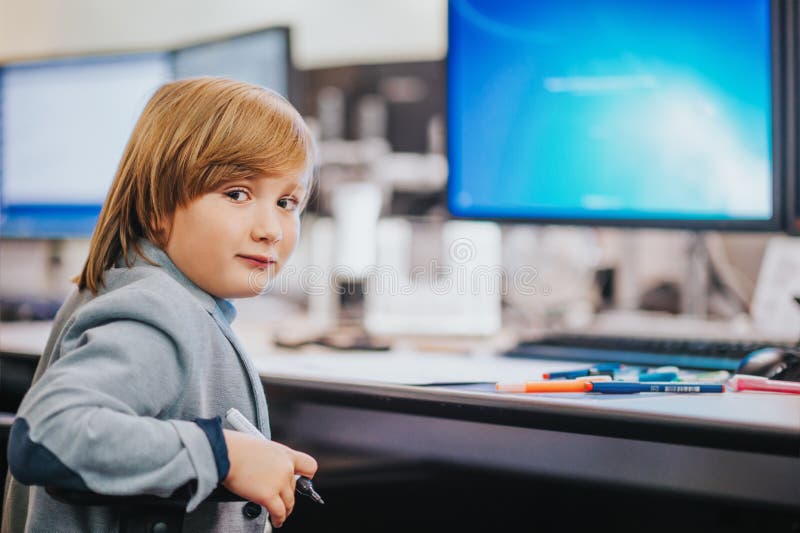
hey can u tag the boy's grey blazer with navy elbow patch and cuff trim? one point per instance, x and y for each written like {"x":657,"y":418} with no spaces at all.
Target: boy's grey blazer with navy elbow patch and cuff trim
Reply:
{"x":124,"y":400}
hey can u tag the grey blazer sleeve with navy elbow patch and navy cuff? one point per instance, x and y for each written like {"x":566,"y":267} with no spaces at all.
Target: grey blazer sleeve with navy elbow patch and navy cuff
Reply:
{"x":92,"y":420}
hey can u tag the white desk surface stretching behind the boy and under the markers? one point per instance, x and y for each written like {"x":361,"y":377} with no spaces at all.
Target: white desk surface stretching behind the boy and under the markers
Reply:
{"x":756,"y":410}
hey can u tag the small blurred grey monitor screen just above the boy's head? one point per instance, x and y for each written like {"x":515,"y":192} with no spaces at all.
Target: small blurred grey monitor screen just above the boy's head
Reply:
{"x":261,"y":58}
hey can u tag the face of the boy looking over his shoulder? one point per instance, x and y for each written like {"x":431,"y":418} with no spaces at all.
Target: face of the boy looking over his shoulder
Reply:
{"x":232,"y":241}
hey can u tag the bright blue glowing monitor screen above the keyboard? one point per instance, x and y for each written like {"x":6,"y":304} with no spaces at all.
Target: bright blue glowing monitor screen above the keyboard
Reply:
{"x":617,"y":112}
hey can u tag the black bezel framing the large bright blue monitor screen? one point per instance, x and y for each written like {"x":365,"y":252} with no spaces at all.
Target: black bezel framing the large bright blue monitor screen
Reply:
{"x":778,"y":13}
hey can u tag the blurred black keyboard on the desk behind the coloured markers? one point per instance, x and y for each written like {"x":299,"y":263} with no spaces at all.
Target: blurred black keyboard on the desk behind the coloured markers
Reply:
{"x":684,"y":353}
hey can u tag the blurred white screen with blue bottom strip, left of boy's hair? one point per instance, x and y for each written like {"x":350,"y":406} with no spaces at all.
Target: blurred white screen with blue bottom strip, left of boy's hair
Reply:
{"x":64,"y":126}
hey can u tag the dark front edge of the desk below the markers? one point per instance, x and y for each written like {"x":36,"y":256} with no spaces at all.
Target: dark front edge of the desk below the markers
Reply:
{"x":438,"y":403}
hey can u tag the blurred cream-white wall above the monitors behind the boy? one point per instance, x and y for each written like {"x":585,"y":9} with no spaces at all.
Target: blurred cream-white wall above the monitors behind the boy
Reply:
{"x":324,"y":33}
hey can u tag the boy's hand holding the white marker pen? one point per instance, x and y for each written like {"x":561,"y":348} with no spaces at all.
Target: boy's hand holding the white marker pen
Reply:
{"x":262,"y":471}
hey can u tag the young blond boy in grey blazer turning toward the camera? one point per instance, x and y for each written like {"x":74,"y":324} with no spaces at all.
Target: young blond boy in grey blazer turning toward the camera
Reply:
{"x":142,"y":363}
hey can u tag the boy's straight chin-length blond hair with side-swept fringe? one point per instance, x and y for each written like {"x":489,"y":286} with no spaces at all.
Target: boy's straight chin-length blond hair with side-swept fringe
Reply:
{"x":193,"y":135}
